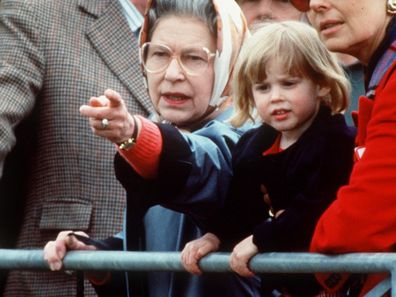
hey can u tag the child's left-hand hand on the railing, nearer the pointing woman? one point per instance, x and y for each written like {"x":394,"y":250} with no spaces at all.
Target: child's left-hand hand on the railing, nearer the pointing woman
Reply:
{"x":196,"y":249}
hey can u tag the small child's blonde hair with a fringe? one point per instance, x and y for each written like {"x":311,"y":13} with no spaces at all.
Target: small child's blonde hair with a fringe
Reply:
{"x":298,"y":47}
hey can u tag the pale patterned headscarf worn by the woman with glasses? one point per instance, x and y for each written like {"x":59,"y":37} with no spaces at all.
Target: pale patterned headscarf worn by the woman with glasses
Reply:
{"x":231,"y":32}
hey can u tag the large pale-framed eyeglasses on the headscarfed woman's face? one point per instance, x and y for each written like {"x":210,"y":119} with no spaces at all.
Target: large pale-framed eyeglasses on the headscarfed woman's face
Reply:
{"x":157,"y":57}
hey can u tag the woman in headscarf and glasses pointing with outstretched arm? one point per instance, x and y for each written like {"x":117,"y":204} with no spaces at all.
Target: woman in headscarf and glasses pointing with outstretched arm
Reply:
{"x":188,"y":49}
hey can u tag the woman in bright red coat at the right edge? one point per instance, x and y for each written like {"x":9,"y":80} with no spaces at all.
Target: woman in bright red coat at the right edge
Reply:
{"x":364,"y":211}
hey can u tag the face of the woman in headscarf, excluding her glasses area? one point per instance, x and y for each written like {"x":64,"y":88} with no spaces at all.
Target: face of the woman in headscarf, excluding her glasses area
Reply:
{"x":179,"y":97}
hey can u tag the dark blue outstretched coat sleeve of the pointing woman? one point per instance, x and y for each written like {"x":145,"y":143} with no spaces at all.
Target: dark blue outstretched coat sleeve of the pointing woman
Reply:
{"x":194,"y":172}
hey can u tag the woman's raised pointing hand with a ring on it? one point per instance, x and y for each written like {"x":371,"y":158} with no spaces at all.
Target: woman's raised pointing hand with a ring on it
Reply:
{"x":109,"y":117}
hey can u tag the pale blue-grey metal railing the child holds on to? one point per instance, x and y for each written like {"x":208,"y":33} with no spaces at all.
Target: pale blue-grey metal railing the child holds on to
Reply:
{"x":215,"y":262}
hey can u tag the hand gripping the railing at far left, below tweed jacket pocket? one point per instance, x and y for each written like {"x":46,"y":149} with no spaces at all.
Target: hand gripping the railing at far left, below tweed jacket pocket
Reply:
{"x":55,"y":251}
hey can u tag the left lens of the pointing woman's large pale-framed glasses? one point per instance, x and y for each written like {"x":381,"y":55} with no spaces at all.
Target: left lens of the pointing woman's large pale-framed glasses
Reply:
{"x":155,"y":57}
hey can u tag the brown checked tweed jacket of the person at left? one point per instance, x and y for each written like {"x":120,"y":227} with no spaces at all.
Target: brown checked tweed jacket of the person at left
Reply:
{"x":55,"y":55}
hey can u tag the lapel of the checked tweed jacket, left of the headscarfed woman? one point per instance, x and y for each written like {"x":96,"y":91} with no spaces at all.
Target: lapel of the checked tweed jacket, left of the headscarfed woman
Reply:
{"x":112,"y":38}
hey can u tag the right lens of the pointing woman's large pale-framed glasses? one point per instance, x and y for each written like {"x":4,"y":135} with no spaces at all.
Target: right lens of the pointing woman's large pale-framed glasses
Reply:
{"x":195,"y":60}
